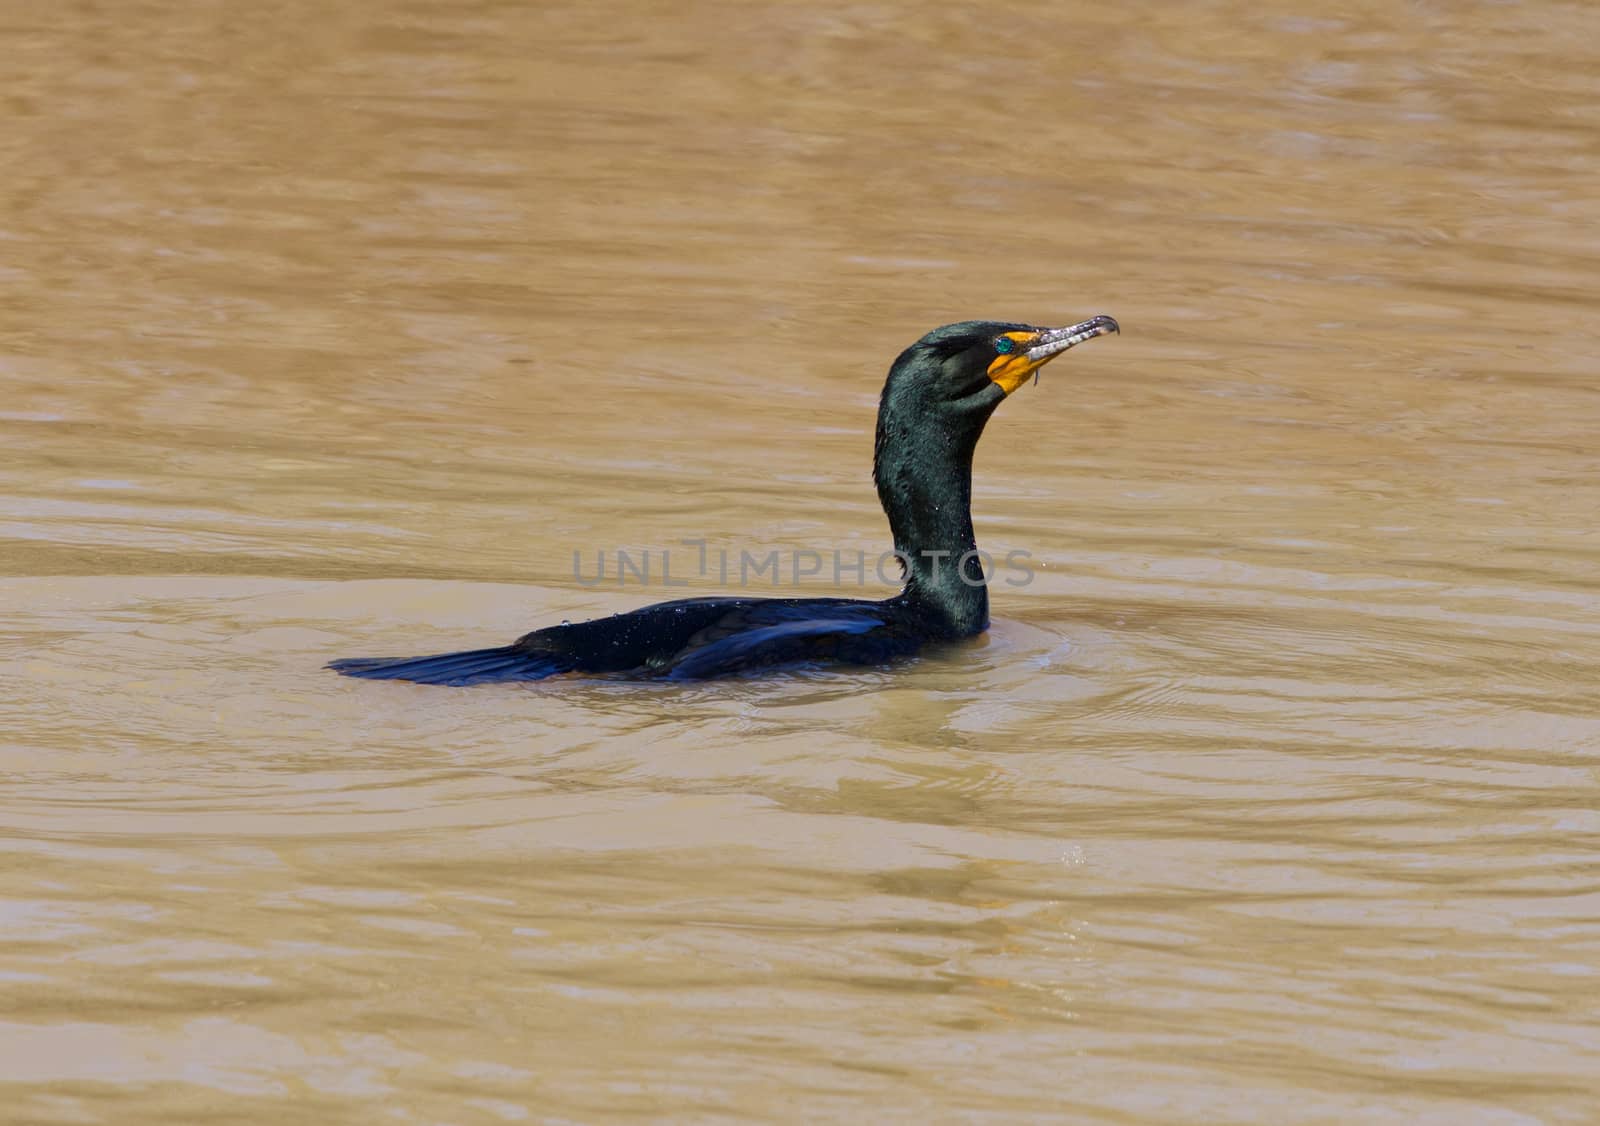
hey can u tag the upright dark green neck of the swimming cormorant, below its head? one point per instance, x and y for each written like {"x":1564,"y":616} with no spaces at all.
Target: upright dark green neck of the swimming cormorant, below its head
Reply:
{"x":926,"y":482}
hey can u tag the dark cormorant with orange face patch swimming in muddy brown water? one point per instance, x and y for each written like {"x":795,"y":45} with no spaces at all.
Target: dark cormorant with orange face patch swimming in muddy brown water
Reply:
{"x":937,"y":401}
